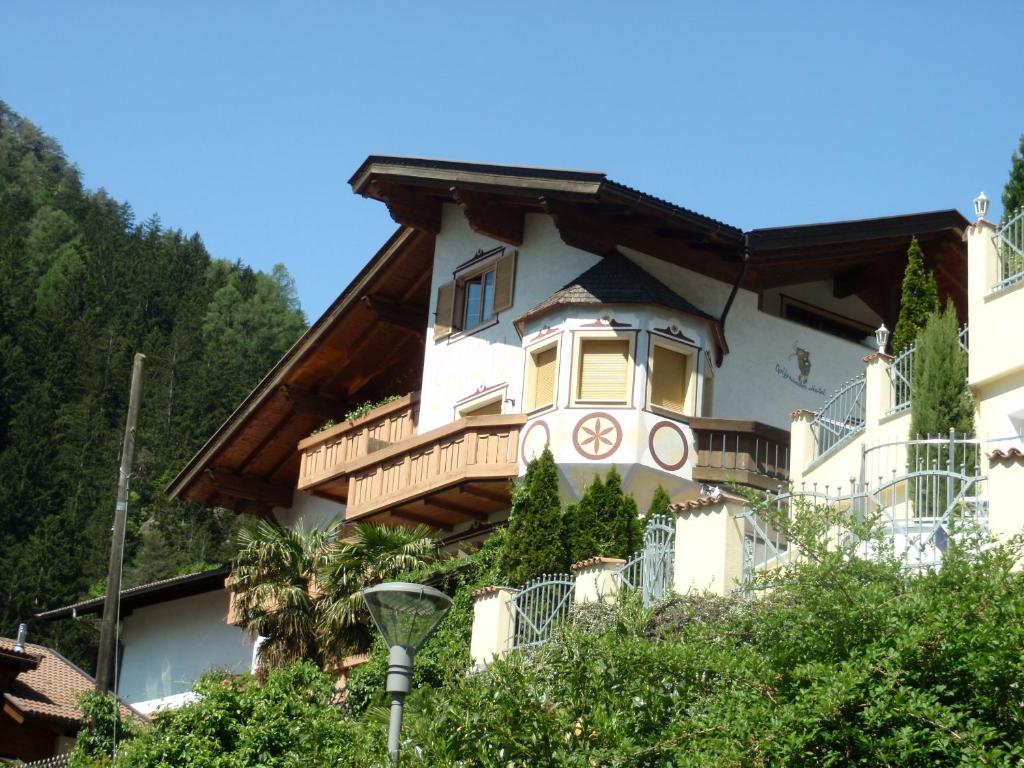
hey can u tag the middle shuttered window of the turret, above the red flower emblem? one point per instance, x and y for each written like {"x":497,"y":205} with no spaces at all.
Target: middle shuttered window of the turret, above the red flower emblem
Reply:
{"x":604,"y":369}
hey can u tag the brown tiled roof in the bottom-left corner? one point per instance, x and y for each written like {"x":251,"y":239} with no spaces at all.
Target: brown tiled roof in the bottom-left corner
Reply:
{"x":52,"y":691}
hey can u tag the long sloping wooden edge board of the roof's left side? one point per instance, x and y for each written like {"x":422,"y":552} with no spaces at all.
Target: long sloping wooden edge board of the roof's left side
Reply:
{"x":303,"y":349}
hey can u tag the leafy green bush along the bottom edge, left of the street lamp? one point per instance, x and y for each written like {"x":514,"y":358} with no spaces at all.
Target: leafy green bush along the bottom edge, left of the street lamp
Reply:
{"x":286,"y":722}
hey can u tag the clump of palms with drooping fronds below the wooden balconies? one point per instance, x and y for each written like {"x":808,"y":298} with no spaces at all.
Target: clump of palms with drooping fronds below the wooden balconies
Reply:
{"x":301,"y":589}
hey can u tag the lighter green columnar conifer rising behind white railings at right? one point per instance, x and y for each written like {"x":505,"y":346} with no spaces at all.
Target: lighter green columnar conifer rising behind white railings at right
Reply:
{"x":941,"y":398}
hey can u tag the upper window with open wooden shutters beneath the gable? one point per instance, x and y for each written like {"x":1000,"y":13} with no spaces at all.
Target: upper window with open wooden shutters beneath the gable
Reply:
{"x":482,"y":289}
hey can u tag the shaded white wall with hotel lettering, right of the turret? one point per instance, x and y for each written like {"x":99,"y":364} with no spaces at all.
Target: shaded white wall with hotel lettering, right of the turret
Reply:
{"x":760,"y":377}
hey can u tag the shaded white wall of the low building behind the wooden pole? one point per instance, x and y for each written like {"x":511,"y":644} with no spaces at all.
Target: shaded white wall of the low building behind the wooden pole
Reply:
{"x":168,"y":647}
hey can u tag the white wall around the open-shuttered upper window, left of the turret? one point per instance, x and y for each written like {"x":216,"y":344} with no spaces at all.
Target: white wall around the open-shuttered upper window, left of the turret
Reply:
{"x":456,"y":368}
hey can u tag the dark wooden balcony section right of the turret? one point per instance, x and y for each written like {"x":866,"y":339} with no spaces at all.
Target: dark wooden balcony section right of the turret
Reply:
{"x":745,"y":452}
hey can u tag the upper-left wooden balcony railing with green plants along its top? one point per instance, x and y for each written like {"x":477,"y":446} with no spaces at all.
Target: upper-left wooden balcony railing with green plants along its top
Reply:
{"x":326,"y":456}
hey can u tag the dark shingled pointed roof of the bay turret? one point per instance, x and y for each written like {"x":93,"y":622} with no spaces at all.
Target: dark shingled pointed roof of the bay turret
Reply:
{"x":616,"y":280}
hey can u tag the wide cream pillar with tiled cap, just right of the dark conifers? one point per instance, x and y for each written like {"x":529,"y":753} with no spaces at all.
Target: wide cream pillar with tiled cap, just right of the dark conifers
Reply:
{"x":709,"y":545}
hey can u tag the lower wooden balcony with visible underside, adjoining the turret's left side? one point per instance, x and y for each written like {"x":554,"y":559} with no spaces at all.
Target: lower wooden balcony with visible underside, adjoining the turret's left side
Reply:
{"x":458,"y":473}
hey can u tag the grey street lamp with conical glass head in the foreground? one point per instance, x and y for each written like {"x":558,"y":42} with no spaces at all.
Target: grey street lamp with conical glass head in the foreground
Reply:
{"x":406,"y":615}
